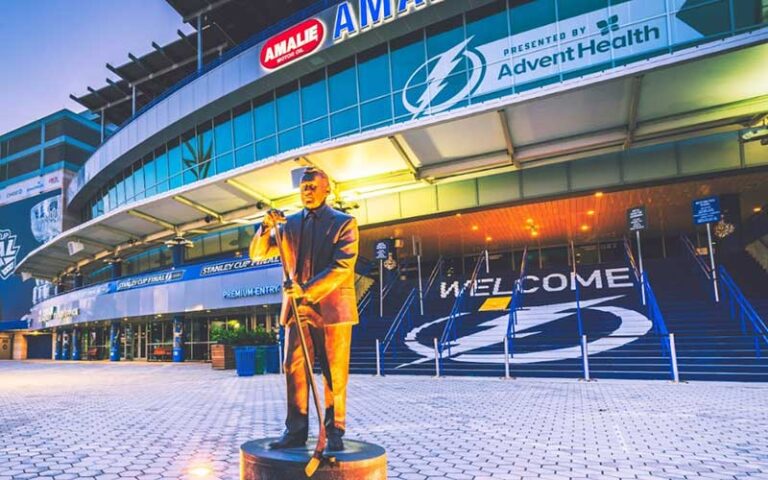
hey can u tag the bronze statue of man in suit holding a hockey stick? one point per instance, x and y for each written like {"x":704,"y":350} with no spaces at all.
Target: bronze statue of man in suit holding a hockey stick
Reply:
{"x":320,"y":247}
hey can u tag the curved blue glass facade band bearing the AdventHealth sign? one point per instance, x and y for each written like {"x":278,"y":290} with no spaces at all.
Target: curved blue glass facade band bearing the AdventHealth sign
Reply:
{"x":506,"y":47}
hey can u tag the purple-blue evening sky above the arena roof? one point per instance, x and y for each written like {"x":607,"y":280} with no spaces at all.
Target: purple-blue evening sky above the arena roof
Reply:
{"x":51,"y":48}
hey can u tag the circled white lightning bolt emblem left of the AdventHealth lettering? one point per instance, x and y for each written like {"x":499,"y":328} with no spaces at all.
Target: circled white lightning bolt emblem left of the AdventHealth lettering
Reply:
{"x":437,"y":79}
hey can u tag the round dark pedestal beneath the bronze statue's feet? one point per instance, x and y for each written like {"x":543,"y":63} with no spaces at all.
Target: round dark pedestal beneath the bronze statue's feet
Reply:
{"x":359,"y":460}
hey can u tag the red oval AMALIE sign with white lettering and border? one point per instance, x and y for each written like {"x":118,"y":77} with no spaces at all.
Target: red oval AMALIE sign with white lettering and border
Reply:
{"x":293,"y":44}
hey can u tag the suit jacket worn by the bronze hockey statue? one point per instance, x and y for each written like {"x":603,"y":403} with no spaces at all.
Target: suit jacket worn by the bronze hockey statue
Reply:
{"x":331,"y":290}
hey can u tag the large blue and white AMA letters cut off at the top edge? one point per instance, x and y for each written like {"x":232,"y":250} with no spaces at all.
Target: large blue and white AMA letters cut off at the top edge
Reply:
{"x":371,"y":14}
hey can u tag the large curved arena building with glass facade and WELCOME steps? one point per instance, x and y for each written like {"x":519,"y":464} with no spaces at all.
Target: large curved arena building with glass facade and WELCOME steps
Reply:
{"x":471,"y":139}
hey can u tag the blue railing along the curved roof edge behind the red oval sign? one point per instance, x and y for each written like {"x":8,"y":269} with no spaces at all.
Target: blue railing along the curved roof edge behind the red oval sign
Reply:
{"x":257,"y":38}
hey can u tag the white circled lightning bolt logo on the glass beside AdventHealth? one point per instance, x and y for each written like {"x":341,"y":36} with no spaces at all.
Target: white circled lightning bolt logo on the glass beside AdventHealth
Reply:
{"x":443,"y":89}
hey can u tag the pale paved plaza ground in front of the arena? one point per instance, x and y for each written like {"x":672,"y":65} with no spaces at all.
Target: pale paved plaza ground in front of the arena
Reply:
{"x":161,"y":421}
